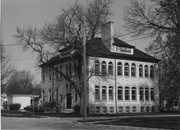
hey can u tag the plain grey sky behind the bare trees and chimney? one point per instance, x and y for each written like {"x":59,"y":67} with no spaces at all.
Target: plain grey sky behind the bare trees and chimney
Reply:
{"x":36,"y":13}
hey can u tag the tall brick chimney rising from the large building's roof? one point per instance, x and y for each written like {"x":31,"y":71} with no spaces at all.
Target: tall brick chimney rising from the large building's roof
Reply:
{"x":107,"y":35}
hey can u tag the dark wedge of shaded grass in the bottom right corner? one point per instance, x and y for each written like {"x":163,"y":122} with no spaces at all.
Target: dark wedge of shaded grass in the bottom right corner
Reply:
{"x":148,"y":122}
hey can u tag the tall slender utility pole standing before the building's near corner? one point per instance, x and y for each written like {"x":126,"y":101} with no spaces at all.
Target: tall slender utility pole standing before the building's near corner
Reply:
{"x":85,"y":72}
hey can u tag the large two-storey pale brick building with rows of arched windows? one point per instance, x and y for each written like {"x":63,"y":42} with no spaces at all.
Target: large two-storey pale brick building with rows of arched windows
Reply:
{"x":122,"y":78}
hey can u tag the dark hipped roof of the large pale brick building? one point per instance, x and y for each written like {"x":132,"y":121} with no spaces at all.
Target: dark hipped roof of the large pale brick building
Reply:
{"x":96,"y":48}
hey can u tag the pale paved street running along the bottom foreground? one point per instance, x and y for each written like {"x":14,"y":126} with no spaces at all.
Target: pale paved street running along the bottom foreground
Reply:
{"x":57,"y":123}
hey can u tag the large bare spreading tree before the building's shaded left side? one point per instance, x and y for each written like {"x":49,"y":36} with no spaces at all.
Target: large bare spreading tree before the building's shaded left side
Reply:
{"x":66,"y":32}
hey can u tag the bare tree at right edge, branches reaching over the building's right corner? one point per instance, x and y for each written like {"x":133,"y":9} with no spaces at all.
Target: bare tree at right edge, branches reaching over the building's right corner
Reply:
{"x":161,"y":20}
